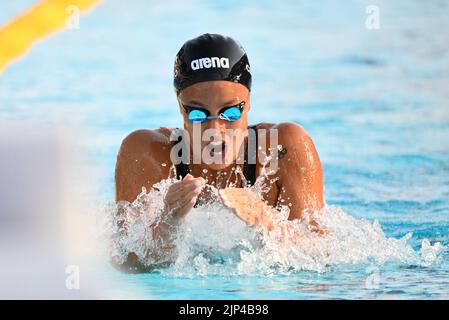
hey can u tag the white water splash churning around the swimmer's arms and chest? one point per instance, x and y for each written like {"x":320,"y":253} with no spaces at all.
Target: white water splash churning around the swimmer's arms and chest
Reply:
{"x":213,"y":241}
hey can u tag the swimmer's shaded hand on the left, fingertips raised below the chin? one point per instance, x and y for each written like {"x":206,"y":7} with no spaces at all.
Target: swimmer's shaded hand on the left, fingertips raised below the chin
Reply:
{"x":182,"y":196}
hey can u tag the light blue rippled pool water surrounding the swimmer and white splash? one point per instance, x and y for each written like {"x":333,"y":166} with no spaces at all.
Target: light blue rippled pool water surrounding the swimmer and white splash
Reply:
{"x":374,"y":101}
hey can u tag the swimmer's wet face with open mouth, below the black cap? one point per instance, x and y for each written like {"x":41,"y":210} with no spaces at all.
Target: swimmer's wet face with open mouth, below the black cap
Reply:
{"x":223,"y":139}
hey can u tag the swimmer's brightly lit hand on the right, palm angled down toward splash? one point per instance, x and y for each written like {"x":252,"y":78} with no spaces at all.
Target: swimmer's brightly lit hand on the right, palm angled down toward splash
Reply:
{"x":248,"y":207}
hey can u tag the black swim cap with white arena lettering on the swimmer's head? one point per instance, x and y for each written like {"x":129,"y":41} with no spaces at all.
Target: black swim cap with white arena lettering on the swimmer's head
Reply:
{"x":211,"y":57}
